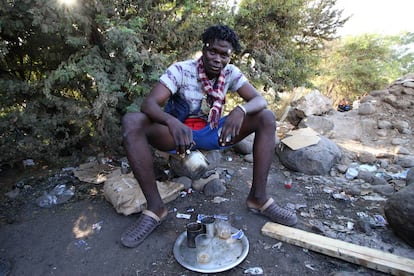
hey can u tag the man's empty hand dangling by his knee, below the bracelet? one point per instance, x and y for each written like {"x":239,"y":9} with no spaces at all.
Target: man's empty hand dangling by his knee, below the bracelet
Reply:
{"x":232,"y":126}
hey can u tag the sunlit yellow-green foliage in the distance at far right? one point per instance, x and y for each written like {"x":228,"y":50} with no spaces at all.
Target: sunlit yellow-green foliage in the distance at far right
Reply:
{"x":356,"y":65}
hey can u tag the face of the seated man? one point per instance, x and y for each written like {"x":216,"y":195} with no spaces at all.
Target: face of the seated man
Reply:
{"x":216,"y":55}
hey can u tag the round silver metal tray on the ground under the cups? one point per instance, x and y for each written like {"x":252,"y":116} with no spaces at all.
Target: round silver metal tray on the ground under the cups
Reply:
{"x":226,"y":255}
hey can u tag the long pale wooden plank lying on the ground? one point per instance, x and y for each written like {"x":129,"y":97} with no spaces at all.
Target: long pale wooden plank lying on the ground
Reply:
{"x":368,"y":257}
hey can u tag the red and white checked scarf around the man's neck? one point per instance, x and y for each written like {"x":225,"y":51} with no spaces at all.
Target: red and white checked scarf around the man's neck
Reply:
{"x":216,"y":93}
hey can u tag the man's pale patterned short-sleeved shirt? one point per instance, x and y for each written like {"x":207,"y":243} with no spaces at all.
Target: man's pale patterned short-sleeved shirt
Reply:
{"x":182,"y":77}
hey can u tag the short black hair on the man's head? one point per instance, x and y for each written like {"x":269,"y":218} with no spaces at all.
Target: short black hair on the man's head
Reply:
{"x":221,"y":32}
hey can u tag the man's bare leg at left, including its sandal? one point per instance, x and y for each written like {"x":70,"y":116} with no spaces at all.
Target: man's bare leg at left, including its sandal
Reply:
{"x":138,"y":130}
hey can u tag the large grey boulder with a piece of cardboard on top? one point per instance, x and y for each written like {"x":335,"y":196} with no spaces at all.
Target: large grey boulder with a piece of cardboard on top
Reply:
{"x":316,"y":159}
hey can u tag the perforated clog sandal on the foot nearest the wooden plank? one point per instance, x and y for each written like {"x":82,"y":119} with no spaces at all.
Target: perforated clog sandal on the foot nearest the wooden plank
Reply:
{"x":276,"y":213}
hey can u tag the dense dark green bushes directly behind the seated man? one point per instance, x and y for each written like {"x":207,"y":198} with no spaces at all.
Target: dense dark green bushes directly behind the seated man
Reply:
{"x":69,"y":73}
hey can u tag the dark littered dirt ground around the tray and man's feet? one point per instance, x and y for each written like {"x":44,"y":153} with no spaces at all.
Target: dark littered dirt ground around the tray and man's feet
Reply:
{"x":81,"y":237}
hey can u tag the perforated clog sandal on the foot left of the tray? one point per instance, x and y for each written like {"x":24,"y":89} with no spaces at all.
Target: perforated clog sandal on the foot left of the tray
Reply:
{"x":139,"y":230}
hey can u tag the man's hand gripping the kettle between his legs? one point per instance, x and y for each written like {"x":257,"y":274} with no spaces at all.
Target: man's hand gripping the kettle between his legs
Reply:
{"x":182,"y":134}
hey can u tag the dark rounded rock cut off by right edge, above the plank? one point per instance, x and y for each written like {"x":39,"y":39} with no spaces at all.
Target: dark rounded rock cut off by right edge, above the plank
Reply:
{"x":399,"y":210}
